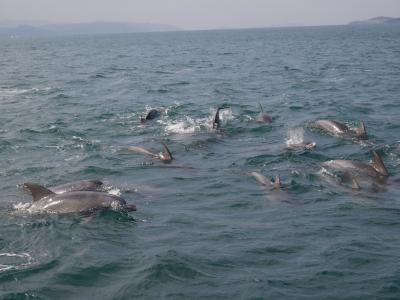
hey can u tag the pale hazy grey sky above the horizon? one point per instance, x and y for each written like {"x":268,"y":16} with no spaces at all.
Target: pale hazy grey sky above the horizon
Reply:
{"x":200,"y":14}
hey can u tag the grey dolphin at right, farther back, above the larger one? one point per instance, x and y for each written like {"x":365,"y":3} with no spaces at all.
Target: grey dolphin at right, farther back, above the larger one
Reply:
{"x":340,"y":129}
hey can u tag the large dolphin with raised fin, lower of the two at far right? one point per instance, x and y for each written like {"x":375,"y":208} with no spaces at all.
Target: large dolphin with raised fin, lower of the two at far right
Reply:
{"x":376,"y":170}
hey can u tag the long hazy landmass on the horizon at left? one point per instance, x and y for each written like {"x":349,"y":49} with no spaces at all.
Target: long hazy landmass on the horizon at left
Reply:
{"x":24,"y":30}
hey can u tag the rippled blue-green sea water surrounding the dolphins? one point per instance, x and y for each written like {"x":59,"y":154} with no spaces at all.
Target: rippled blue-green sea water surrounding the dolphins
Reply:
{"x":204,"y":228}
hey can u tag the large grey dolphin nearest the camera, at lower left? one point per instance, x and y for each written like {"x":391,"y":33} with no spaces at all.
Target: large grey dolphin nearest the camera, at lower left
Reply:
{"x":45,"y":200}
